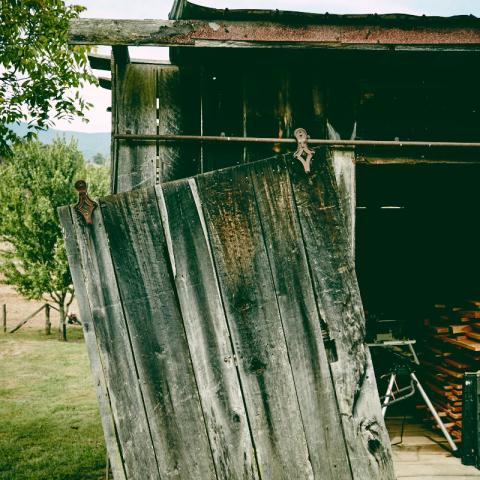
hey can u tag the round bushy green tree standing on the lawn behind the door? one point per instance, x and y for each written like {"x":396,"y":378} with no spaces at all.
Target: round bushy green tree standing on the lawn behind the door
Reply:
{"x":35,"y":181}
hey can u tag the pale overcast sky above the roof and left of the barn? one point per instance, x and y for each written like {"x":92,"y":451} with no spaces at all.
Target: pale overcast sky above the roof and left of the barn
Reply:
{"x":100,"y":119}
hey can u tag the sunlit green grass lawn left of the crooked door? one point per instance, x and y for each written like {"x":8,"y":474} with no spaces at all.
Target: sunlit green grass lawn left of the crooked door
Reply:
{"x":49,"y":423}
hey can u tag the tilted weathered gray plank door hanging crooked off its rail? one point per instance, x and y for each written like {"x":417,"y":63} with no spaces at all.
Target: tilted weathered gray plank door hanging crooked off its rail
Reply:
{"x":225,"y":328}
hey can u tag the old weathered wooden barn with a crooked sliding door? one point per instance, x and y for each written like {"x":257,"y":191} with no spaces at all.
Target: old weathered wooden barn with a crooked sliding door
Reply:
{"x":218,"y":283}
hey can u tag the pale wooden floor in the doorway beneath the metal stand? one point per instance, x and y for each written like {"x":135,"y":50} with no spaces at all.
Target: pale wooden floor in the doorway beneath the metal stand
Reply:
{"x":424,"y":455}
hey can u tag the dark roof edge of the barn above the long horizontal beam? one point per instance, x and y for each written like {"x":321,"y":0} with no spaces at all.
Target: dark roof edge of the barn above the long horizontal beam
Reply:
{"x":184,"y":10}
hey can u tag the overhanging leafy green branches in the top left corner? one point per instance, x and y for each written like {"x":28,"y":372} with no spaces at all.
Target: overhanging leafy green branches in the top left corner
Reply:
{"x":39,"y":72}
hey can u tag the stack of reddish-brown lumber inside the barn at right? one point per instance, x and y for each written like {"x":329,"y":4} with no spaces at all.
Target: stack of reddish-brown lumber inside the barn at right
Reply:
{"x":450,"y":347}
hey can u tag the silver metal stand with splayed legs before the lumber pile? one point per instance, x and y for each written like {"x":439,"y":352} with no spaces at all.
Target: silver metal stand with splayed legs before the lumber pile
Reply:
{"x":404,"y":366}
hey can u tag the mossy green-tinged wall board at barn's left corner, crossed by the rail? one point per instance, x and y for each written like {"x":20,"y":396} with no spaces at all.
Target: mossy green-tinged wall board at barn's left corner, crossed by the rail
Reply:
{"x":135,"y":99}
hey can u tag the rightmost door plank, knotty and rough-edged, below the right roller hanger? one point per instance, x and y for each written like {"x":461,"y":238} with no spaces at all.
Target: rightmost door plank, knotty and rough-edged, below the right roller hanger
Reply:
{"x":339,"y":304}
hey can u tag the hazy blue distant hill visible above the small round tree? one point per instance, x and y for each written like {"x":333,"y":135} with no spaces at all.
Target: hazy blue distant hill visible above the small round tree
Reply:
{"x":88,"y":143}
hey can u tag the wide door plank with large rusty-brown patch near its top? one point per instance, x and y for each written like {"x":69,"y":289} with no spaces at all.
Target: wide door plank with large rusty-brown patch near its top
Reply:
{"x":252,"y":313}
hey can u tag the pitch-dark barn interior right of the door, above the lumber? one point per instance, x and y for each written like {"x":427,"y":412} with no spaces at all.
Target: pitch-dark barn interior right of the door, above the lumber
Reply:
{"x":416,"y":239}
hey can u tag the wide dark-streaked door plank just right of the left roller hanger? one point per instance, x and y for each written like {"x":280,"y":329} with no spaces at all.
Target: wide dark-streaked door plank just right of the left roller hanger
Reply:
{"x":141,"y":260}
